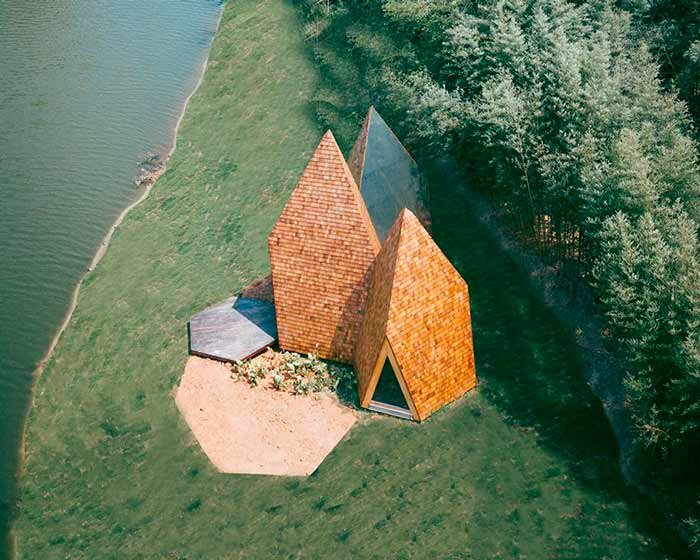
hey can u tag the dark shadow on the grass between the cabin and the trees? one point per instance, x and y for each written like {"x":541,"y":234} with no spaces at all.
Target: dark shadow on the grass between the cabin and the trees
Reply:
{"x":527,"y":364}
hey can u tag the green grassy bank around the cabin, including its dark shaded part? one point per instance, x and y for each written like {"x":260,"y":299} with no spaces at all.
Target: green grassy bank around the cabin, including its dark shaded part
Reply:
{"x":112,"y":471}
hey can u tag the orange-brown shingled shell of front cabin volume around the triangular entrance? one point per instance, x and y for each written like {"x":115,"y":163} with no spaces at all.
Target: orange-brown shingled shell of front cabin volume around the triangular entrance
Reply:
{"x":419,"y":304}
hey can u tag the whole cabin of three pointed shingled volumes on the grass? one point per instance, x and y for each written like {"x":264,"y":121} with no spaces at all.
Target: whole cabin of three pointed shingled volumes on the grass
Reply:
{"x":357,"y":279}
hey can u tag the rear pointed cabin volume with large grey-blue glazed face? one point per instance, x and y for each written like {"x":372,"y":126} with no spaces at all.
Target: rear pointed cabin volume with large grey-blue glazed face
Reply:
{"x":386,"y":173}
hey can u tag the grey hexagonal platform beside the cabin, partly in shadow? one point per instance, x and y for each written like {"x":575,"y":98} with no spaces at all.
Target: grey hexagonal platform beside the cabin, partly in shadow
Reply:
{"x":235,"y":329}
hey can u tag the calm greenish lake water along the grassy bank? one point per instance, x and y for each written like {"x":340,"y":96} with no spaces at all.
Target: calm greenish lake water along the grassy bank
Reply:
{"x":88,"y":89}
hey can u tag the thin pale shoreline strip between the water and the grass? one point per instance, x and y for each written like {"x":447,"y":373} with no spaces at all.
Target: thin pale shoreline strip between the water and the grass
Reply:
{"x":97,"y":257}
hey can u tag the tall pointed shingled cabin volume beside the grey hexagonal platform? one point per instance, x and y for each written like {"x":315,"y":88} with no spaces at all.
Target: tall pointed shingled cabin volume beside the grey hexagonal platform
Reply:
{"x":320,"y":252}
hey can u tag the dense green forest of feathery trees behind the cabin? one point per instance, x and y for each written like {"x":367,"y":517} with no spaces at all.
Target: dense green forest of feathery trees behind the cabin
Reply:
{"x":577,"y":120}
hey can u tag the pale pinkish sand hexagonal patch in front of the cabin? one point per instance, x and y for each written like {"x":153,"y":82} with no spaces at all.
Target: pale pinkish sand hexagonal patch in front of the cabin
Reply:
{"x":258,"y":430}
